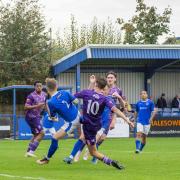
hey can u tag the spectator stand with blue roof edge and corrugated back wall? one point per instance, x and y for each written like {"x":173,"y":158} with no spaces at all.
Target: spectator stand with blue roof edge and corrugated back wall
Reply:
{"x":155,"y":68}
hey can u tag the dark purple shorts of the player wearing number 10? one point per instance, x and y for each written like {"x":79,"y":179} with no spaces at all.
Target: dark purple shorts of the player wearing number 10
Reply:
{"x":90,"y":134}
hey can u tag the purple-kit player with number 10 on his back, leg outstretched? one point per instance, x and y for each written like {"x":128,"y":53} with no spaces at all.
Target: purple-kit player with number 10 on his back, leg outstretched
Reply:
{"x":94,"y":103}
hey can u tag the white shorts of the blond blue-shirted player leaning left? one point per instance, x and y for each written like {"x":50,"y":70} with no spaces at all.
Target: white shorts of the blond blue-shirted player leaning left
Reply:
{"x":69,"y":127}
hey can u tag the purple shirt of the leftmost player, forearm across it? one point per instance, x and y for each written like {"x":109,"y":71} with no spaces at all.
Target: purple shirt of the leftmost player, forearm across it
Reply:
{"x":34,"y":99}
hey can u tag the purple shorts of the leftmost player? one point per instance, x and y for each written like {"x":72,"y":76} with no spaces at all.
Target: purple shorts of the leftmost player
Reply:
{"x":35,"y":125}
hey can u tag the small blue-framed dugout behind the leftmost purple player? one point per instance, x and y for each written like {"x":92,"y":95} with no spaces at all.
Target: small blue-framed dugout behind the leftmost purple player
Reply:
{"x":12,"y":120}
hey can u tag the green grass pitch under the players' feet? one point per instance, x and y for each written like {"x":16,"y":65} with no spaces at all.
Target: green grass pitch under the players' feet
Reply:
{"x":160,"y":160}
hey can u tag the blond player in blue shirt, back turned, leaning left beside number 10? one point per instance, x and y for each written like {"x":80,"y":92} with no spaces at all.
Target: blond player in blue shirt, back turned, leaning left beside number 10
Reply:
{"x":61,"y":103}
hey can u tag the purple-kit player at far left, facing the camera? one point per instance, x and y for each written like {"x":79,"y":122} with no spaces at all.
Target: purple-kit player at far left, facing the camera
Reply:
{"x":34,"y":105}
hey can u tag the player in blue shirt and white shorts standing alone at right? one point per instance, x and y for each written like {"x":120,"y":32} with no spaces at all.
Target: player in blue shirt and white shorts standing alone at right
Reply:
{"x":144,"y":114}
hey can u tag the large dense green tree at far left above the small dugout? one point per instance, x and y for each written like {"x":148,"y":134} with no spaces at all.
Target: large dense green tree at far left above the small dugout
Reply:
{"x":24,"y":43}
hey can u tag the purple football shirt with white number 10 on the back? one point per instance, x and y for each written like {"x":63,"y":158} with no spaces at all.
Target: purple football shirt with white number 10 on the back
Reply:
{"x":93,"y":106}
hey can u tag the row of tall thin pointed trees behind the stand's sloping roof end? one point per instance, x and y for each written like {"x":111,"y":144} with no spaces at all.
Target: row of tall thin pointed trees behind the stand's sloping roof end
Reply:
{"x":75,"y":36}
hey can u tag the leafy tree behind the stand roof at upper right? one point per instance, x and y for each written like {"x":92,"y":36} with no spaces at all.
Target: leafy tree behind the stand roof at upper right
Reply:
{"x":146,"y":25}
